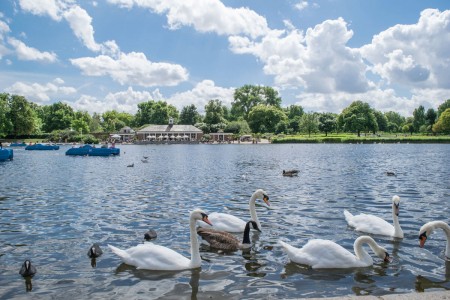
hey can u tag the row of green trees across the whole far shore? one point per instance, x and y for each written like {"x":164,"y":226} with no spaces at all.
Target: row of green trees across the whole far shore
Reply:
{"x":255,"y":109}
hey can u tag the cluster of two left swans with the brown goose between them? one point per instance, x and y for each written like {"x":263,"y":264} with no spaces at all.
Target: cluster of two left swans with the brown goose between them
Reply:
{"x":155,"y":257}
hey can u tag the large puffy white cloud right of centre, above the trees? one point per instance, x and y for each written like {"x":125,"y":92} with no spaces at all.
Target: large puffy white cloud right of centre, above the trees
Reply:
{"x":318,"y":61}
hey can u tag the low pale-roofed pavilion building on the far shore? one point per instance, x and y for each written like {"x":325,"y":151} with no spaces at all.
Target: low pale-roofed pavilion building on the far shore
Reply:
{"x":169,"y":133}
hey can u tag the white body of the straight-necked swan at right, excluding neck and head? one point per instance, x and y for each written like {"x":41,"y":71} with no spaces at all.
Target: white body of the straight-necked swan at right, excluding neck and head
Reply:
{"x":370,"y":224}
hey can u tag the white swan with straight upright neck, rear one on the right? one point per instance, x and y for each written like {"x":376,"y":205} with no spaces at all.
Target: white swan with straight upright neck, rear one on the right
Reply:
{"x":376,"y":225}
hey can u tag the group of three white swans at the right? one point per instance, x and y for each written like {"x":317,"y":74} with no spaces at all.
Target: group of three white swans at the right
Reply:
{"x":319,"y":253}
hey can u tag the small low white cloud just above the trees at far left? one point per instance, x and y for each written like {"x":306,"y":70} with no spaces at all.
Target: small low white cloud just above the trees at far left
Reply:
{"x":40,"y":93}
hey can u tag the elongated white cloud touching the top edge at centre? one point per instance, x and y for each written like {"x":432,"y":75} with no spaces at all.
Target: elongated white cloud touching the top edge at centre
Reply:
{"x":204,"y":16}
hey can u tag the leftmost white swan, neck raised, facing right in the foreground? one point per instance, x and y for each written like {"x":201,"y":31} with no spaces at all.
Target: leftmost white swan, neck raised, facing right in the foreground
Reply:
{"x":155,"y":257}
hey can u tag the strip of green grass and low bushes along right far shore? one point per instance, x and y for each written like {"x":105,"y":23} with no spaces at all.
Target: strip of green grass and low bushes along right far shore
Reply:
{"x":353,"y":139}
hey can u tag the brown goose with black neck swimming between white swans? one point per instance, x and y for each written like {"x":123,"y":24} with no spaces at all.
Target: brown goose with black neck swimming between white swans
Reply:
{"x":226,"y":241}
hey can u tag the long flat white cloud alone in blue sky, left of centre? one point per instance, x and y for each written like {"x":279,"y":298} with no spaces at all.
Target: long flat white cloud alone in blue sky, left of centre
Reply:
{"x":132,"y":69}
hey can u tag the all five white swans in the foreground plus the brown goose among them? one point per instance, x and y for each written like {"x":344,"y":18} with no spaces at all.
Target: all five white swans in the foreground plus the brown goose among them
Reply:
{"x":317,"y":253}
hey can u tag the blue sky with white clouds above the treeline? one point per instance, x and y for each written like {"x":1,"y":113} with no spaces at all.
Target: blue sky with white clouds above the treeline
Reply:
{"x":323,"y":55}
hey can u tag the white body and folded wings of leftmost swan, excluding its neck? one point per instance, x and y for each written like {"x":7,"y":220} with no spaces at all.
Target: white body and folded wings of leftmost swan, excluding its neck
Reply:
{"x":152,"y":257}
